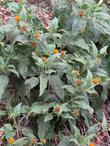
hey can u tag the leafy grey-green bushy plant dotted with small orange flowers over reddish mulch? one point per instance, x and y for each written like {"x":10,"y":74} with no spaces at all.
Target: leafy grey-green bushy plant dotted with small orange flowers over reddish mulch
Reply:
{"x":59,"y":79}
